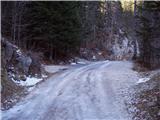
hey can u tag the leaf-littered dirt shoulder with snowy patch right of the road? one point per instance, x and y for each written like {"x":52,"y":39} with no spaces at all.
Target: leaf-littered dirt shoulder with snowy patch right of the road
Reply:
{"x":145,"y":103}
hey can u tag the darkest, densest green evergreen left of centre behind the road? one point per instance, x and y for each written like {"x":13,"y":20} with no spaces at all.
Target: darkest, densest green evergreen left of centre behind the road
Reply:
{"x":55,"y":24}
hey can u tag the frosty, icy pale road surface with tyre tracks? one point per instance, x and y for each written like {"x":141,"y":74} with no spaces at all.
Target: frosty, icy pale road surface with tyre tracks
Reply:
{"x":92,"y":92}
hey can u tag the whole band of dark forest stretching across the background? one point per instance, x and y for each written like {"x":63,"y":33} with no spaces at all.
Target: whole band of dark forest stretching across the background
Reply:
{"x":60,"y":28}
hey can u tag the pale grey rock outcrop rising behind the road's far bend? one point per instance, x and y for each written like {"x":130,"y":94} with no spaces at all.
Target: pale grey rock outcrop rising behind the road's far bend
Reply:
{"x":123,"y":46}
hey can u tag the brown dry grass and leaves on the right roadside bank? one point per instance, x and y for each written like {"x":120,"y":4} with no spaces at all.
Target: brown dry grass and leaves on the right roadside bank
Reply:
{"x":147,"y":101}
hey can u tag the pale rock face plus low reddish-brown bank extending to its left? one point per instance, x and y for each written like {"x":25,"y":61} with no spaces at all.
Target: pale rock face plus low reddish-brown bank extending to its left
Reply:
{"x":120,"y":47}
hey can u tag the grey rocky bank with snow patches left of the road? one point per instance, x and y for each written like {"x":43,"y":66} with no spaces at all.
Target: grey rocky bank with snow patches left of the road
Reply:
{"x":16,"y":66}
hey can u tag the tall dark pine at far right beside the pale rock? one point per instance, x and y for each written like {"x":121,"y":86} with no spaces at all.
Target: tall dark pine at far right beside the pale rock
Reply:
{"x":148,"y":33}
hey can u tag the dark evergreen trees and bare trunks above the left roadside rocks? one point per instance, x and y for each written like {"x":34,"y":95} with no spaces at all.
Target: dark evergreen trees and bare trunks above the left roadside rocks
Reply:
{"x":52,"y":27}
